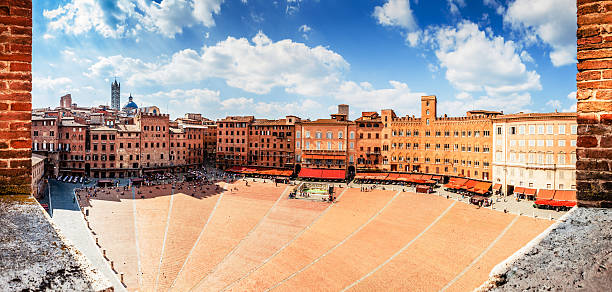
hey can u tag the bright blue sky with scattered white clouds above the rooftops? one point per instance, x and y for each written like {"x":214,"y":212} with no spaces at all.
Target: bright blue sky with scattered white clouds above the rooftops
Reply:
{"x":303,"y":57}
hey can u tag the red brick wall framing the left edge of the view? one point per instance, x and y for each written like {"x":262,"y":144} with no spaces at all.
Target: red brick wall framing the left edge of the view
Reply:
{"x":15,"y":96}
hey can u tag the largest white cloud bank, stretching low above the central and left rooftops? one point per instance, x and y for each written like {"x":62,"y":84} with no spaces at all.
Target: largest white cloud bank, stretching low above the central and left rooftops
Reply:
{"x":312,"y":76}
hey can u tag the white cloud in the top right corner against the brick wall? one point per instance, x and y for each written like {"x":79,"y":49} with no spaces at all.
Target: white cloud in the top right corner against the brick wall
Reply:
{"x":552,"y":21}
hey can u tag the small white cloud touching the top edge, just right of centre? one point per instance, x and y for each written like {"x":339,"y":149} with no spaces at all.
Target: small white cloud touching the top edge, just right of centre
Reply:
{"x":396,"y":13}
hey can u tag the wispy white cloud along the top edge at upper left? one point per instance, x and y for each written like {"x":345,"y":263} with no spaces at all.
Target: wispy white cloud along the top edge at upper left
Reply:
{"x":126,"y":18}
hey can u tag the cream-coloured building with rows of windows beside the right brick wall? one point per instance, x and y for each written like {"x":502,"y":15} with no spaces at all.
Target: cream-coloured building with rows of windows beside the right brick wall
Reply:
{"x":536,"y":151}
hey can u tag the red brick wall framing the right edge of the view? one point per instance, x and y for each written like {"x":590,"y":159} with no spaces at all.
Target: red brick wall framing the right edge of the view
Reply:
{"x":594,"y":82}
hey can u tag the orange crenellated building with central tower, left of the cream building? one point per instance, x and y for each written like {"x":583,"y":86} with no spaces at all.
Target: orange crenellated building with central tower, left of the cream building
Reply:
{"x":451,"y":146}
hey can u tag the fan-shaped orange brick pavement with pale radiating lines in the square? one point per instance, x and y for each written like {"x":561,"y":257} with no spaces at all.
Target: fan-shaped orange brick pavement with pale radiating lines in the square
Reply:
{"x":251,"y":237}
